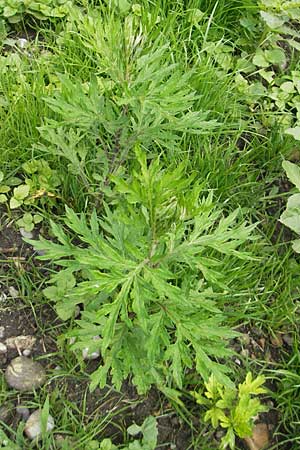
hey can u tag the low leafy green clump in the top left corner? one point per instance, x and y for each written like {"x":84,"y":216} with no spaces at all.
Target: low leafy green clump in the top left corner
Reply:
{"x":15,"y":10}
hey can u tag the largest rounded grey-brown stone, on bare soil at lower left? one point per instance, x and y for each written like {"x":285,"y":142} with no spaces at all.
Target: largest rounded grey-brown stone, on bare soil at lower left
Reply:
{"x":24,"y":374}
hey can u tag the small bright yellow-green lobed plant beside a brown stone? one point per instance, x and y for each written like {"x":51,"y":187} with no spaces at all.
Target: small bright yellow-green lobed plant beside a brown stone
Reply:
{"x":231,"y":408}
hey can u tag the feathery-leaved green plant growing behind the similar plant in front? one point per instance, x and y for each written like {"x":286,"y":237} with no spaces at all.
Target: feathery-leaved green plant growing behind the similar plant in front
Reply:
{"x":140,"y":96}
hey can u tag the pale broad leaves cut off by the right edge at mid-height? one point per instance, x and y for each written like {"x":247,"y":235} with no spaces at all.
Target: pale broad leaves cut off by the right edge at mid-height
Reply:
{"x":291,"y":216}
